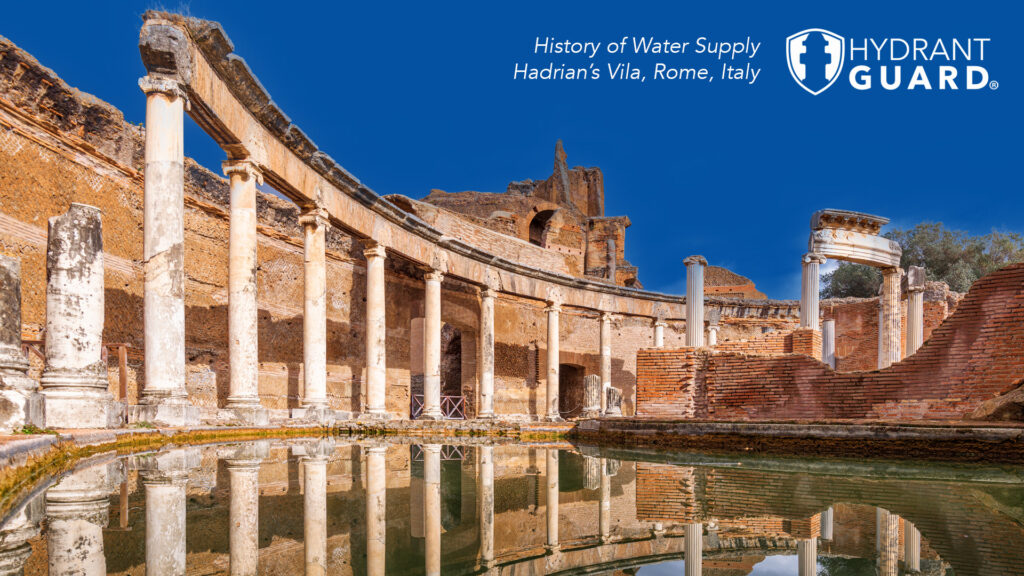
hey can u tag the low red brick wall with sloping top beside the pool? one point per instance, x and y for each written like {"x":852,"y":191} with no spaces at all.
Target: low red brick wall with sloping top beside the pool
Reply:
{"x":976,"y":355}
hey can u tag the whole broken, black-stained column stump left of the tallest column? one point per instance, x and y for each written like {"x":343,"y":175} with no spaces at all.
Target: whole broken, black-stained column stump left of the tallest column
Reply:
{"x":75,"y":385}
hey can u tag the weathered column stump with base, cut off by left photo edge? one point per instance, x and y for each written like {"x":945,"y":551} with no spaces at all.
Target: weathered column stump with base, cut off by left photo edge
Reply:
{"x":21,"y":403}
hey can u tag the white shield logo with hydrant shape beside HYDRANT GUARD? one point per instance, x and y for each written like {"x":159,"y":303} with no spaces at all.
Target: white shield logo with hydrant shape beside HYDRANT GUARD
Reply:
{"x":816,"y":58}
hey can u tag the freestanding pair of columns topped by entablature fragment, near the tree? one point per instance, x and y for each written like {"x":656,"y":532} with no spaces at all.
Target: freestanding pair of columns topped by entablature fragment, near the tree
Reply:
{"x":854,"y":237}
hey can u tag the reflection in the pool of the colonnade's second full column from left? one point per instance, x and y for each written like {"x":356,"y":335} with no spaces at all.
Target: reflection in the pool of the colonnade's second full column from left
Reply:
{"x":243,"y":470}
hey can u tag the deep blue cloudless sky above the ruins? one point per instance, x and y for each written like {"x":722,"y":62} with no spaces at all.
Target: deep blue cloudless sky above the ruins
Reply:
{"x":421,"y":96}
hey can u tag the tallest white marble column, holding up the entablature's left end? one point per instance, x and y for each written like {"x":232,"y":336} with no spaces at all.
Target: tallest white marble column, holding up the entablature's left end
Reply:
{"x":164,"y":400}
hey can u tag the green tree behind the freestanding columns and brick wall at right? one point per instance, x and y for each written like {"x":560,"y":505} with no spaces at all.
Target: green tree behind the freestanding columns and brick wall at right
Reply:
{"x":950,"y":256}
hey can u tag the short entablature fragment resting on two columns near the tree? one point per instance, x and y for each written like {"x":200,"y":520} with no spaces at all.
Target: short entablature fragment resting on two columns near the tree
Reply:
{"x":852,"y":237}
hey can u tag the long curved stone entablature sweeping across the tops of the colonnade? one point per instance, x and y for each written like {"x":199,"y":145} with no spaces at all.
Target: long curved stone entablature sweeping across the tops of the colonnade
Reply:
{"x":229,"y":103}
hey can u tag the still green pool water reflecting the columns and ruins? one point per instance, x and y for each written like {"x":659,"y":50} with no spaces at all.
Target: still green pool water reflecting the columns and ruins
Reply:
{"x":343,"y":507}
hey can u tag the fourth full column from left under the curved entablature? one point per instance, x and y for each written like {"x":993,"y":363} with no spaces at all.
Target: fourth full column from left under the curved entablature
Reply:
{"x":376,"y":335}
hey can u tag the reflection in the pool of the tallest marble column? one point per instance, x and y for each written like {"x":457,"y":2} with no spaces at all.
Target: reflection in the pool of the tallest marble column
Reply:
{"x":165,"y":477}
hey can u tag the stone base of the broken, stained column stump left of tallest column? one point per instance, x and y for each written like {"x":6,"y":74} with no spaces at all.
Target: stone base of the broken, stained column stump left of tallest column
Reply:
{"x":81,"y":408}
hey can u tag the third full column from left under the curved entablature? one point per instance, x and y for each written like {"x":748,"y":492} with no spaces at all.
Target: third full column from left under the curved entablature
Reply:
{"x":315,"y":404}
